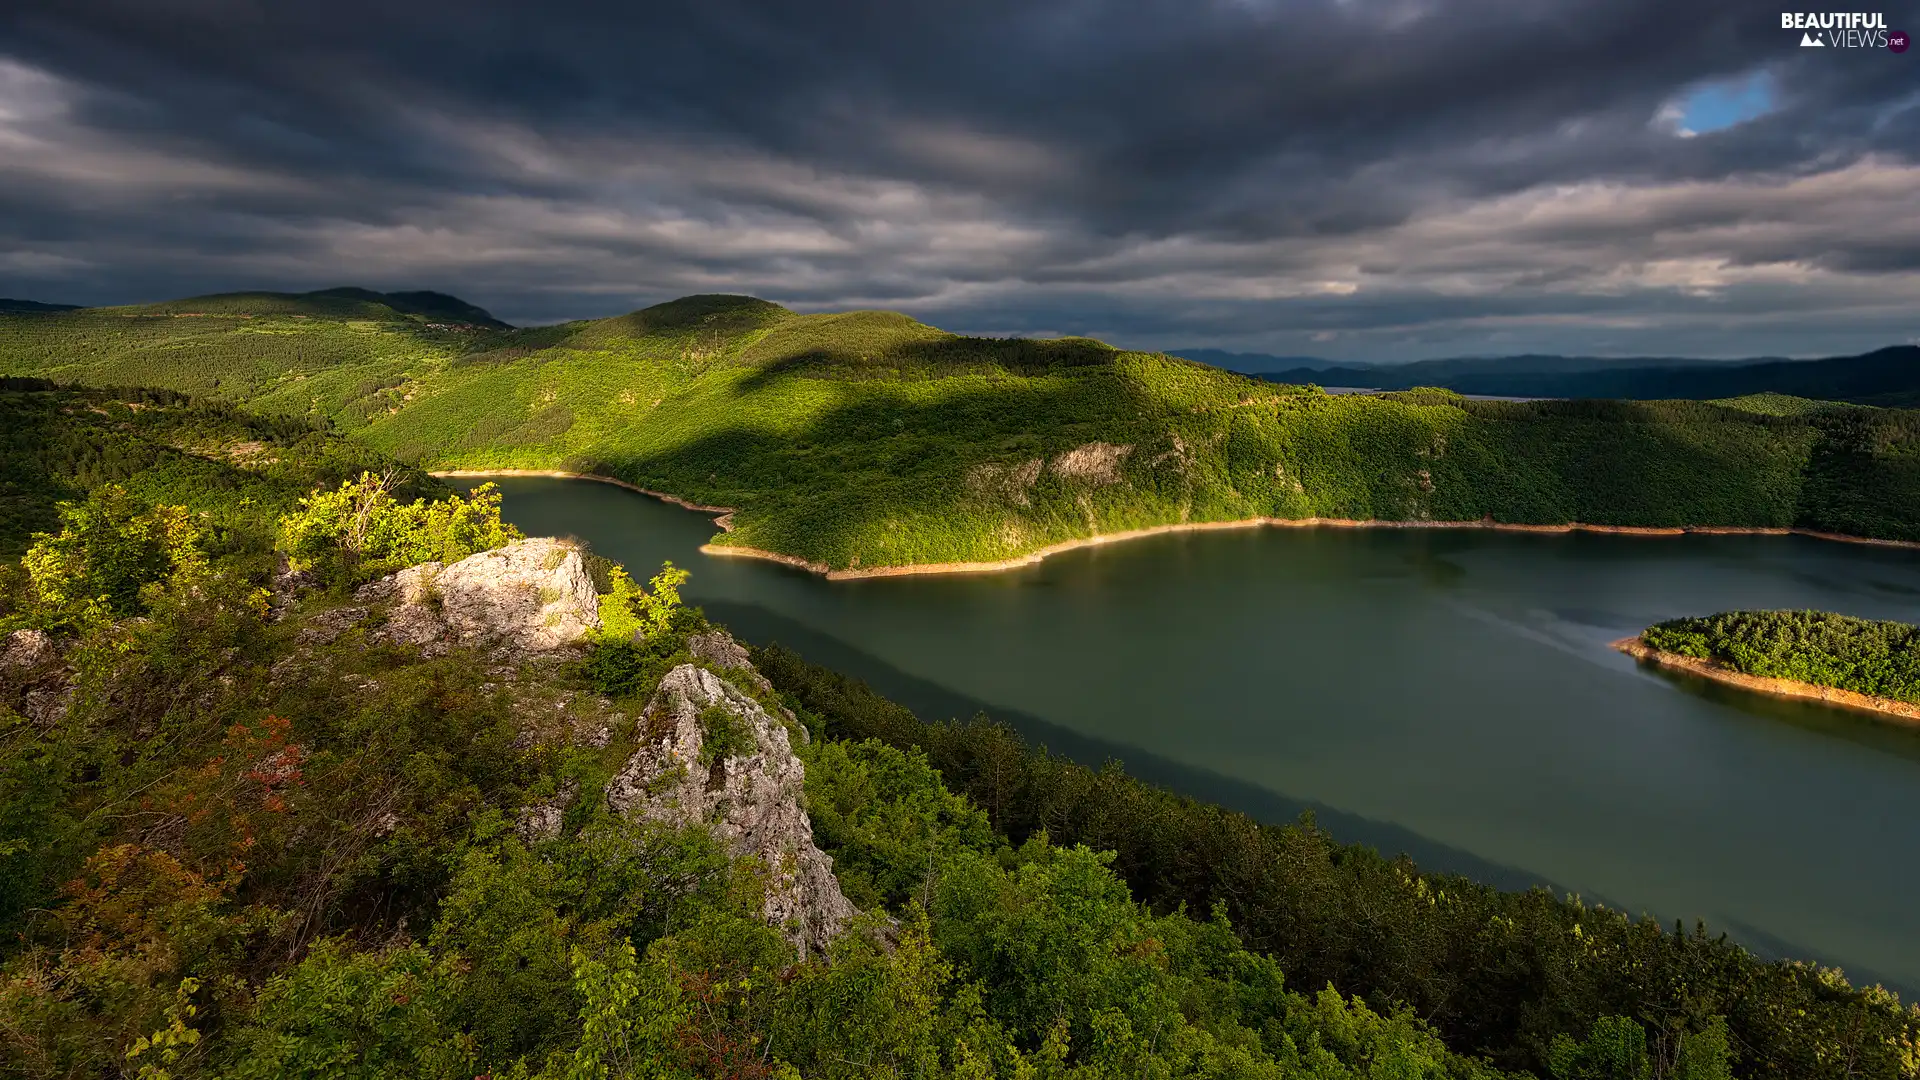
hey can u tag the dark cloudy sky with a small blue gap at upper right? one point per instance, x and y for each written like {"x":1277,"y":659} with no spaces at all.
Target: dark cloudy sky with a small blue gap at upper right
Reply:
{"x":1374,"y":180}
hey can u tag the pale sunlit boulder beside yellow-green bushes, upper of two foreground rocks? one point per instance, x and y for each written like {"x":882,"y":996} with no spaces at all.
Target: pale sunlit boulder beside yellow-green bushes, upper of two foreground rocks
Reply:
{"x":527,"y":597}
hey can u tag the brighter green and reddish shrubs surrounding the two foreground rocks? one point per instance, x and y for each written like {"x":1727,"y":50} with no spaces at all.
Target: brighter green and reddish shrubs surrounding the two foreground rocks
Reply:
{"x":237,"y":847}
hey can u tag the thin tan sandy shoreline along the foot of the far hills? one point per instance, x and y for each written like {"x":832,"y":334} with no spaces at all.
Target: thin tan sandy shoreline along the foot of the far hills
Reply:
{"x":742,"y":552}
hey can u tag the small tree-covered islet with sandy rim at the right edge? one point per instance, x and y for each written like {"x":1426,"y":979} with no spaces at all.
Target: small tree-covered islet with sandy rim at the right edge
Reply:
{"x":1860,"y":664}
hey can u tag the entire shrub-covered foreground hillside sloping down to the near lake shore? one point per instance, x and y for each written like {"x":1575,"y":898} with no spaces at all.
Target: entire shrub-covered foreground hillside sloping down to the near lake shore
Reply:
{"x":258,"y":827}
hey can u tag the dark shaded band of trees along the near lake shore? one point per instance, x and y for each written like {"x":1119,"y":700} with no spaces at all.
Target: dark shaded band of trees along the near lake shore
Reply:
{"x":1499,"y":973}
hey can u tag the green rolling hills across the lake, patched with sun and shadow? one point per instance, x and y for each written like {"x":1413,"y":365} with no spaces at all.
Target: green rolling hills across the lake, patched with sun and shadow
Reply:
{"x":869,"y":439}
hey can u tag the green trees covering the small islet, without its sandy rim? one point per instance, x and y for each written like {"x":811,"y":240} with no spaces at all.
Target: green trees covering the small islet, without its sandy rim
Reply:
{"x":1808,"y":647}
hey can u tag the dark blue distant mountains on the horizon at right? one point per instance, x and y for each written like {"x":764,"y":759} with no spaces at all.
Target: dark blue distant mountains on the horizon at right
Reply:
{"x":1881,"y":378}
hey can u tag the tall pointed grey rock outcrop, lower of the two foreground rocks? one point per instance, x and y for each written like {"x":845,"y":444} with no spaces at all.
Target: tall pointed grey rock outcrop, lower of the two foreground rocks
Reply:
{"x":750,"y":793}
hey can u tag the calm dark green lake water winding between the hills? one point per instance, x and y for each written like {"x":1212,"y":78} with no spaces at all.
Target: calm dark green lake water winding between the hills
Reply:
{"x":1451,"y":695}
